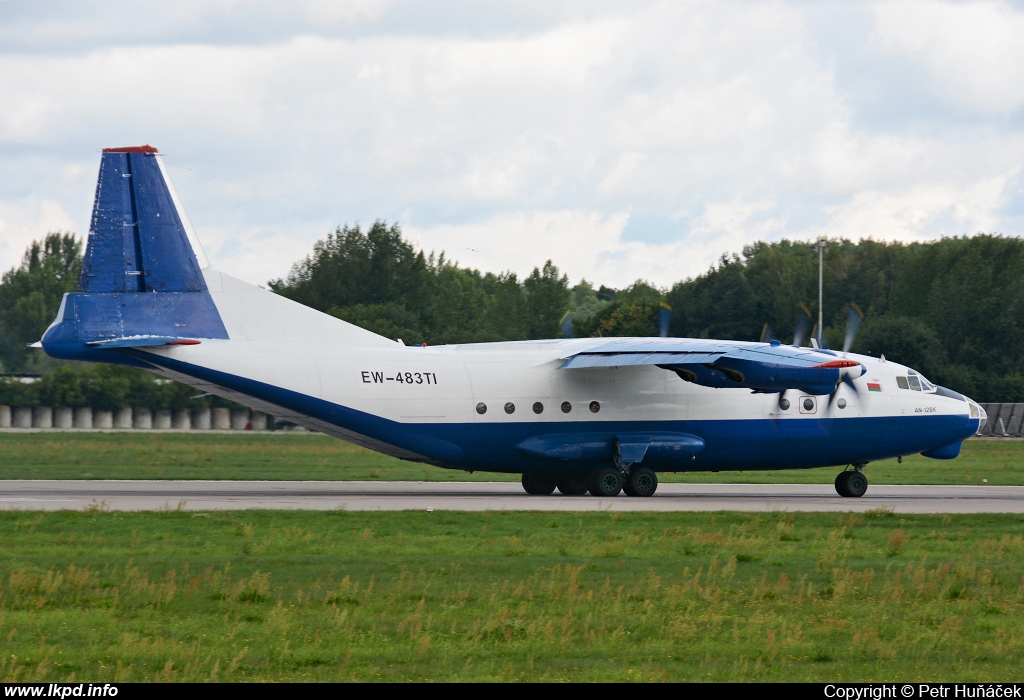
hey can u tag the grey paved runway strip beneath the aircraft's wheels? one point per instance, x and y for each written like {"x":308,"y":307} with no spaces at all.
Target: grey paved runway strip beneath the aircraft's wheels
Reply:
{"x":418,"y":496}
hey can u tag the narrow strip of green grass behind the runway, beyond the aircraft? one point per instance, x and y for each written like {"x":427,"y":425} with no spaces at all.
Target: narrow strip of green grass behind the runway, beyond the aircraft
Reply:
{"x":192,"y":456}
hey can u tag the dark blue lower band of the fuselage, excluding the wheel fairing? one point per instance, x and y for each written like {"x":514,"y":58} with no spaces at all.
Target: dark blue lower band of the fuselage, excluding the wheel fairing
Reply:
{"x":739,"y":445}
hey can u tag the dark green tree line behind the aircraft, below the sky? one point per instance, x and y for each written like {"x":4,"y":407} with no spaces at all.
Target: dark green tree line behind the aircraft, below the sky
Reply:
{"x":952,"y":309}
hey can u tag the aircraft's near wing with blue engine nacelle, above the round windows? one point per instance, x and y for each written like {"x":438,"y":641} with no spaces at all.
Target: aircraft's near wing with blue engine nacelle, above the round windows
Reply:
{"x":760,"y":367}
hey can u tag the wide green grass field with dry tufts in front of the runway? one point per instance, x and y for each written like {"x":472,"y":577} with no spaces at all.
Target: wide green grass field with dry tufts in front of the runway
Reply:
{"x":293,"y":596}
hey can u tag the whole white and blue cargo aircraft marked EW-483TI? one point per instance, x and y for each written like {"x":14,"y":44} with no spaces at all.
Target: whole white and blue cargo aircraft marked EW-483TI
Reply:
{"x":588,"y":415}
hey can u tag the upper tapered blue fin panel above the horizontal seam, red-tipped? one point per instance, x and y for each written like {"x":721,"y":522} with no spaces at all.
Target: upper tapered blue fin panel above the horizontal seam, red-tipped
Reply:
{"x":138,"y":242}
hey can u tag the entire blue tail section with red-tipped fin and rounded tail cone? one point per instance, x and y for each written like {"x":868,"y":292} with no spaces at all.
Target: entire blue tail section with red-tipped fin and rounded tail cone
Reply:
{"x":142,"y":282}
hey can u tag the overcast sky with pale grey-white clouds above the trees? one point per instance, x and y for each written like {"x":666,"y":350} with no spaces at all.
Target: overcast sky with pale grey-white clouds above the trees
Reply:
{"x":622,"y":141}
